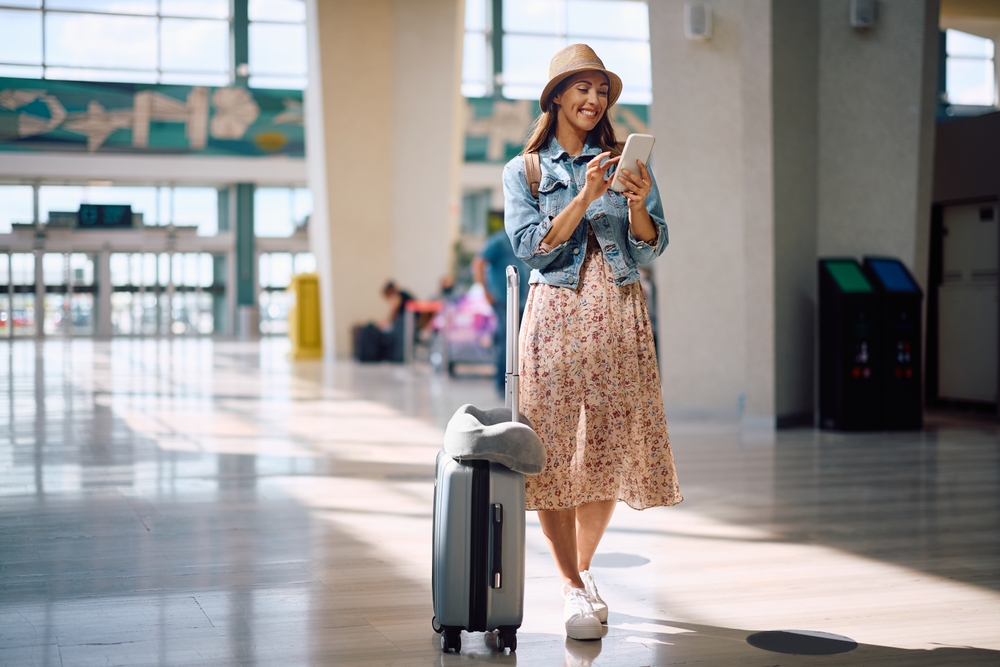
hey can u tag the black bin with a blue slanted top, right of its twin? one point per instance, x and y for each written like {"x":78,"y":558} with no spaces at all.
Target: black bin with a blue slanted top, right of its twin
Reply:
{"x":900,"y":350}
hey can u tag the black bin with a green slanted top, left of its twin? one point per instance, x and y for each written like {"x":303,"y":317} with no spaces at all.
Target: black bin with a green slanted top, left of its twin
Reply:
{"x":848,"y":347}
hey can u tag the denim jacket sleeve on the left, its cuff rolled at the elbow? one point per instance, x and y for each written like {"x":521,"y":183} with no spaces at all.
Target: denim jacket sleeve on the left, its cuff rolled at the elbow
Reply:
{"x":524,"y":221}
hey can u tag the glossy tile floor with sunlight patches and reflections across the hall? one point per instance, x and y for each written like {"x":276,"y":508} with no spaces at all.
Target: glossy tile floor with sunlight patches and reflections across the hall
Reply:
{"x":194,"y":502}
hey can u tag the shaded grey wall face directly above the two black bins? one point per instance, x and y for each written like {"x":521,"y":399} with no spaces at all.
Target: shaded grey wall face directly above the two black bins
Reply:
{"x":876,"y":116}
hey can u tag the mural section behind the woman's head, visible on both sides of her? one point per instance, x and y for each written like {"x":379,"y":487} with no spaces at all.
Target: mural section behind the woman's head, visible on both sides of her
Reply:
{"x":495,"y":129}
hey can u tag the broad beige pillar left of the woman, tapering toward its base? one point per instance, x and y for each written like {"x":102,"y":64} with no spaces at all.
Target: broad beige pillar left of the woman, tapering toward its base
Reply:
{"x":383,"y":146}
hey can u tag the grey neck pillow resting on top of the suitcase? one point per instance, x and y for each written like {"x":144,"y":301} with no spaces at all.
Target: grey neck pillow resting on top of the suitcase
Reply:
{"x":490,"y":435}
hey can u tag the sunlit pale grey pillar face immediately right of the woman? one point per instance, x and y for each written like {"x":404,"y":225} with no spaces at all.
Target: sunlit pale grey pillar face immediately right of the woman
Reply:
{"x":711,"y":116}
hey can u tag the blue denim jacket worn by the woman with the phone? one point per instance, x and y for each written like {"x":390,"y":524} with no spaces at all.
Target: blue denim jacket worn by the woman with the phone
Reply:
{"x":528,"y":220}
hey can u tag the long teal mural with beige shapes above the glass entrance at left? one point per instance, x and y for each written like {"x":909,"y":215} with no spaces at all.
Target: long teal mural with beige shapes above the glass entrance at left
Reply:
{"x":47,"y":115}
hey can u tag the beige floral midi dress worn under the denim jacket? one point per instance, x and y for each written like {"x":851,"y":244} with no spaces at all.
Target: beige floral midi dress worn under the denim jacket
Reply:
{"x":590,"y":385}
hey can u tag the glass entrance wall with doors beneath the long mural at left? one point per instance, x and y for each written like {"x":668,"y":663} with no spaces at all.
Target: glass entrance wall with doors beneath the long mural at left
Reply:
{"x":152,"y":293}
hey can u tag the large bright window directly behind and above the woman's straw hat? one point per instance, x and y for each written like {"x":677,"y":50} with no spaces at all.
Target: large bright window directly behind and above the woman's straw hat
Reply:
{"x":533,"y":30}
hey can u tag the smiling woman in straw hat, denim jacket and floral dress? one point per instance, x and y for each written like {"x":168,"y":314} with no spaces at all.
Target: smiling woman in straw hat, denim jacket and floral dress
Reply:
{"x":589,"y":379}
